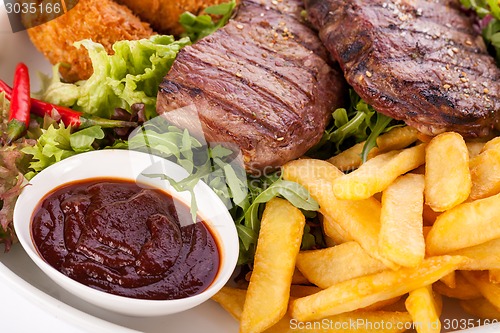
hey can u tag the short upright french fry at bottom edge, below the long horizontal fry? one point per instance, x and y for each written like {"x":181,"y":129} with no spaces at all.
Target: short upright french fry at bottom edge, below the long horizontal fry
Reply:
{"x":424,"y":309}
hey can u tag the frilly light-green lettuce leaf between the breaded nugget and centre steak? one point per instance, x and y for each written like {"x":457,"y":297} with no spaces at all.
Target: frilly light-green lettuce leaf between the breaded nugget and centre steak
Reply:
{"x":131,"y":75}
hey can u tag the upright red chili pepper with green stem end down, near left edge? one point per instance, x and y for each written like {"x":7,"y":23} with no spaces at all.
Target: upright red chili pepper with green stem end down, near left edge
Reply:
{"x":20,"y":104}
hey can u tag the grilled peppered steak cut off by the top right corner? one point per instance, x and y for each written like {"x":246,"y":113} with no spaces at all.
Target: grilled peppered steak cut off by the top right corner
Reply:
{"x":419,"y":61}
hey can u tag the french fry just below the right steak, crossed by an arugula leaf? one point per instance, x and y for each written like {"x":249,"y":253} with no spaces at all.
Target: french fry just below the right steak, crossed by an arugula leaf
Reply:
{"x":397,"y":138}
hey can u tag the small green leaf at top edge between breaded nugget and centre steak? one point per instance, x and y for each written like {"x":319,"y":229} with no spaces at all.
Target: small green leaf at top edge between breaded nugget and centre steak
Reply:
{"x":197,"y":27}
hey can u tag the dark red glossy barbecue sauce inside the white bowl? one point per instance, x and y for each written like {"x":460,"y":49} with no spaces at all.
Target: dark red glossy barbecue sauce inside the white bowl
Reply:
{"x":118,"y":237}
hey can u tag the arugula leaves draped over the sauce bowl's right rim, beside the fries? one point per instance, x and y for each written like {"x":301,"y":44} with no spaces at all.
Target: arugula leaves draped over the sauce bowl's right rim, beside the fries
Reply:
{"x":244,"y":195}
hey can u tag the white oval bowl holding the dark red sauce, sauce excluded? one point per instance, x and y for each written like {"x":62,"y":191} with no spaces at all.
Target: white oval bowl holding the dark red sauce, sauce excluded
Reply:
{"x":131,"y":166}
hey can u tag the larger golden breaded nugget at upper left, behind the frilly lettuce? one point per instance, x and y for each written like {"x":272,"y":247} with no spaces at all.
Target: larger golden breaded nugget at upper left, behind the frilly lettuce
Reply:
{"x":103,"y":21}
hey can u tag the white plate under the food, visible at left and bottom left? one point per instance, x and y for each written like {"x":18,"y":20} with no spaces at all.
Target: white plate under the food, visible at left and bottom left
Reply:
{"x":30,"y":301}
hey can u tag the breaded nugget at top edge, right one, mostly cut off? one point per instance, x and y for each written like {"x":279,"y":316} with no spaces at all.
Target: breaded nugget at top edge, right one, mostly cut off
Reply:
{"x":163,"y":15}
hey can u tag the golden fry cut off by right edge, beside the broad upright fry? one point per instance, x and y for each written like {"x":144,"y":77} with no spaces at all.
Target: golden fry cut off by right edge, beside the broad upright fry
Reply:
{"x":485,"y":174}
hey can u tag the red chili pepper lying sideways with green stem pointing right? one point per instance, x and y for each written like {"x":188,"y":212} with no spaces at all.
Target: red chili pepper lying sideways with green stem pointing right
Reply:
{"x":69,"y":117}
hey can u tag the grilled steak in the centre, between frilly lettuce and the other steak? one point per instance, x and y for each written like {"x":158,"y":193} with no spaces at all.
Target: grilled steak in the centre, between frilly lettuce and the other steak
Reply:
{"x":263,"y":82}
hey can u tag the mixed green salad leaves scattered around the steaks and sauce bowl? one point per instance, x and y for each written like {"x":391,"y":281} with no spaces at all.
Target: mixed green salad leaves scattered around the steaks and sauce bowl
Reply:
{"x":129,"y":79}
